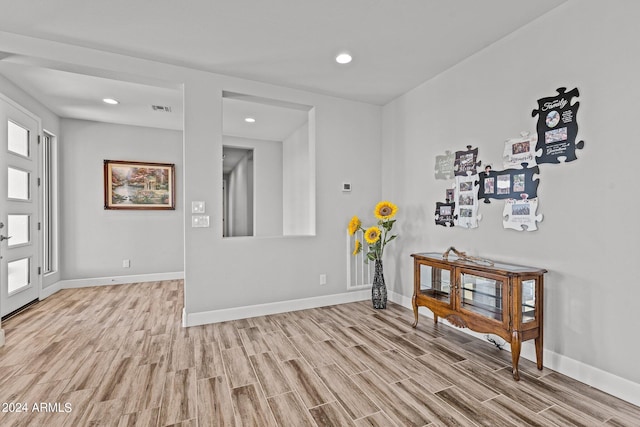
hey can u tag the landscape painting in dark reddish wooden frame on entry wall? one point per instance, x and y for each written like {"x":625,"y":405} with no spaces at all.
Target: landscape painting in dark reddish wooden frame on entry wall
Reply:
{"x":139,"y":185}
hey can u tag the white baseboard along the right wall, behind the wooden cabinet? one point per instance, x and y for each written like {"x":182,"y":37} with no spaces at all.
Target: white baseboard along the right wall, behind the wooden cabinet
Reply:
{"x":597,"y":378}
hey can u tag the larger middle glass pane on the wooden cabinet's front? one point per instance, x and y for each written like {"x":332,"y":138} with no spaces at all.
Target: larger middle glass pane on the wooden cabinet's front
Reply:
{"x":482,"y":295}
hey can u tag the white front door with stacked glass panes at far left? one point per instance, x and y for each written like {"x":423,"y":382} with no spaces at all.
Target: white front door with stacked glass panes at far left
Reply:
{"x":19,"y":207}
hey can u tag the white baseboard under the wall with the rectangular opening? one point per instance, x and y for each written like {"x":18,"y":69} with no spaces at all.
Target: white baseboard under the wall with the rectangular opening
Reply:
{"x":235,"y":313}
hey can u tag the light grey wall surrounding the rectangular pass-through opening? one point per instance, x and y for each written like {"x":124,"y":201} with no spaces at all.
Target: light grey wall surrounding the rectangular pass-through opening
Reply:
{"x":227,"y":273}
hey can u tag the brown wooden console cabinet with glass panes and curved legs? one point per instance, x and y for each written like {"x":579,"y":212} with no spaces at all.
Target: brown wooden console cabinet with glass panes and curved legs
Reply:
{"x":494,"y":298}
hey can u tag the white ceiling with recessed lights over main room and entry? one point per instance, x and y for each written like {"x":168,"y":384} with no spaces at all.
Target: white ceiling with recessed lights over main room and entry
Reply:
{"x":396,"y":45}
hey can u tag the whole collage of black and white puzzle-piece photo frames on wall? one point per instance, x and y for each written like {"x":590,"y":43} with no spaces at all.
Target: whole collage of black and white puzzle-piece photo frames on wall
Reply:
{"x":517,"y":182}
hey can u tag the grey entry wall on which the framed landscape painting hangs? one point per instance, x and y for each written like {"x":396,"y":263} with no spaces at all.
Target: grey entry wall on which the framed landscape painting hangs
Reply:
{"x":94,"y":240}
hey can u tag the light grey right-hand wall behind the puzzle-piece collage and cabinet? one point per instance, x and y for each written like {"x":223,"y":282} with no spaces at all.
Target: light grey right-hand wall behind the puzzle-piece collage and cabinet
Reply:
{"x":588,"y":238}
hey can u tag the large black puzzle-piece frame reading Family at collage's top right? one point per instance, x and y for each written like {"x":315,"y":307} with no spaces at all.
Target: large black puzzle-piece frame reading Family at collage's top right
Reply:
{"x":557,"y":127}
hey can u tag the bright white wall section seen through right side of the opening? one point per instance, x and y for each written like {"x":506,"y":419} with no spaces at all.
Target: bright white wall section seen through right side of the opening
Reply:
{"x":296,"y":181}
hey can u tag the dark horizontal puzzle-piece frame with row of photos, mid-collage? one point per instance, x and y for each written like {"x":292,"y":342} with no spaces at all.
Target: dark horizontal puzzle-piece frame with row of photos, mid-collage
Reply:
{"x":508,"y":183}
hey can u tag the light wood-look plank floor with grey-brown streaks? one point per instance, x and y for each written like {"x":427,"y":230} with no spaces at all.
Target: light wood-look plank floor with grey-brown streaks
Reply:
{"x":118,"y":356}
